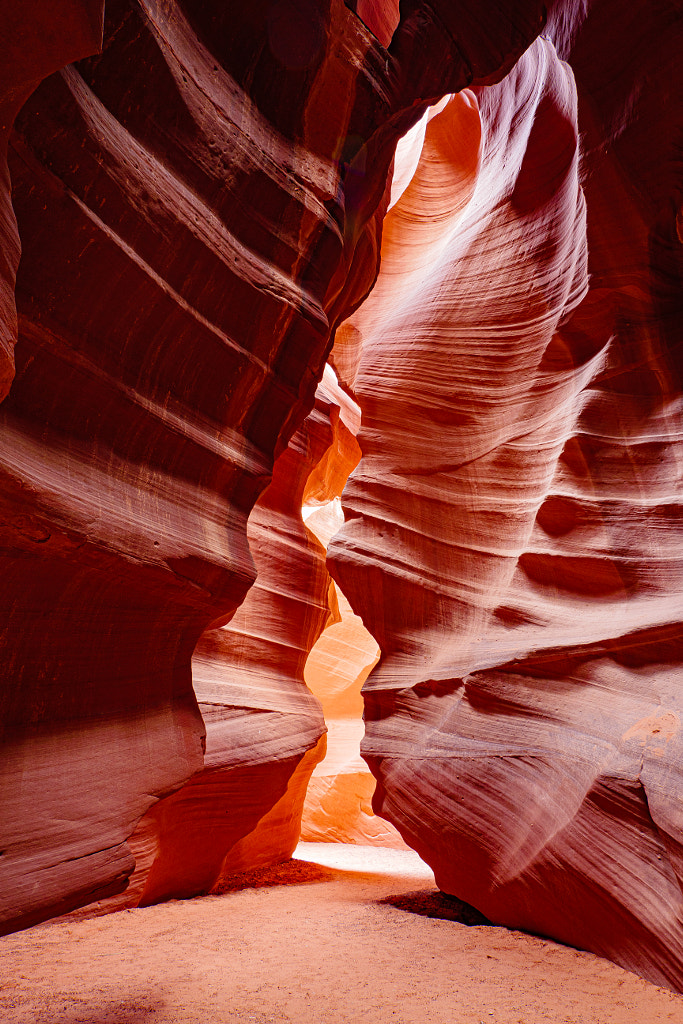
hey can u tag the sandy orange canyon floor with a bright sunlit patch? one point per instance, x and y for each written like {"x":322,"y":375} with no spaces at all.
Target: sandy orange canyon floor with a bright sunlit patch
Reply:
{"x":340,"y":934}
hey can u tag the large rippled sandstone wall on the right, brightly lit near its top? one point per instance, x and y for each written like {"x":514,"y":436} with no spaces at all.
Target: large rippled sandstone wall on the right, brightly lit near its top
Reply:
{"x":514,"y":535}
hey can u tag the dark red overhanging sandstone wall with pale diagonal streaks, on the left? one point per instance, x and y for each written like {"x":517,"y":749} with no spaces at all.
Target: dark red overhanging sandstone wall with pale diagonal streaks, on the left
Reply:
{"x":198,"y":208}
